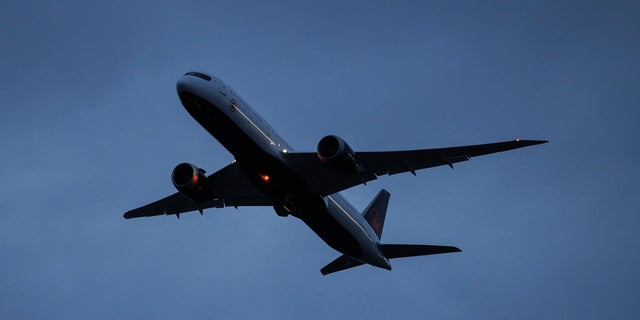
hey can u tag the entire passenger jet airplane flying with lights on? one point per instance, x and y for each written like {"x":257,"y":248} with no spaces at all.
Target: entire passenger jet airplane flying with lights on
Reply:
{"x":306,"y":185}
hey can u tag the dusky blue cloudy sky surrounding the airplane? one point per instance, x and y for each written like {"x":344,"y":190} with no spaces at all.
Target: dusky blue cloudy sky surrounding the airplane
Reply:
{"x":91,"y":126}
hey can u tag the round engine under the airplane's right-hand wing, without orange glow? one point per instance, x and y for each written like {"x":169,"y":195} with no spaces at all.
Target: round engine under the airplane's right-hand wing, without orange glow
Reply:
{"x":336,"y":153}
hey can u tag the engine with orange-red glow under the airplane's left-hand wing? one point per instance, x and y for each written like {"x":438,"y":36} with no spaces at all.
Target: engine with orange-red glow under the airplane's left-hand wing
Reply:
{"x":191,"y":182}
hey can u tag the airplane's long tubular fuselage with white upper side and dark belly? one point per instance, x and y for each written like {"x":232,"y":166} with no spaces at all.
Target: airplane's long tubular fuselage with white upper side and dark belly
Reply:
{"x":261,"y":155}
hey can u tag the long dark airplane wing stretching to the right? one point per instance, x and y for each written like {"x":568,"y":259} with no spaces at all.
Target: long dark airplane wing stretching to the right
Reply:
{"x":327,"y":181}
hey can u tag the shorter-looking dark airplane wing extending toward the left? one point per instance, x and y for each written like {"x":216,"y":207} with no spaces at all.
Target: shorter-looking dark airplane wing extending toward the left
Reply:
{"x":232,"y":189}
